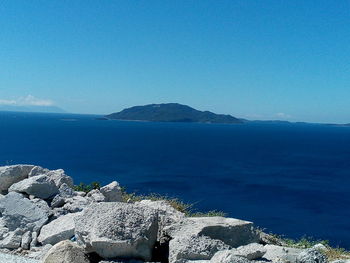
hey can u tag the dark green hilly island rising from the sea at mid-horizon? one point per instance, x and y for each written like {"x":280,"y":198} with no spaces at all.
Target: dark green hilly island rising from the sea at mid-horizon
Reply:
{"x":171,"y":112}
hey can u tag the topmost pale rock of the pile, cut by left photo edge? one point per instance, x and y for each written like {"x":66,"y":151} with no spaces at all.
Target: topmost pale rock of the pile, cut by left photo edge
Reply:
{"x":10,"y":175}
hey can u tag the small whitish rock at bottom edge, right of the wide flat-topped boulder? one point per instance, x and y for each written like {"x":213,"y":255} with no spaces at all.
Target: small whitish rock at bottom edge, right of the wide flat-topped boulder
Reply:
{"x":279,"y":253}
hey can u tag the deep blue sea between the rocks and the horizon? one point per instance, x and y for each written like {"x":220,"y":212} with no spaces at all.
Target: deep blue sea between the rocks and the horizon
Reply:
{"x":291,"y":179}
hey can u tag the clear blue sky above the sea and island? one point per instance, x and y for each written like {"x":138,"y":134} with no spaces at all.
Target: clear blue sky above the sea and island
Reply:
{"x":270,"y":59}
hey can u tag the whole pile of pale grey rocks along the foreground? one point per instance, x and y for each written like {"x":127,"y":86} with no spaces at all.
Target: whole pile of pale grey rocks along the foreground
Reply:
{"x":42,"y":219}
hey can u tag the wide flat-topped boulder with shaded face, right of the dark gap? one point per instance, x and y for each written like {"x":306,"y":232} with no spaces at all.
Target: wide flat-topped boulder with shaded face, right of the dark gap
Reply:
{"x":229,"y":231}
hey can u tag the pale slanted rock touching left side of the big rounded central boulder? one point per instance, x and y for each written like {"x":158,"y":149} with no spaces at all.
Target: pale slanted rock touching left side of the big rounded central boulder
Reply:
{"x":58,"y":230}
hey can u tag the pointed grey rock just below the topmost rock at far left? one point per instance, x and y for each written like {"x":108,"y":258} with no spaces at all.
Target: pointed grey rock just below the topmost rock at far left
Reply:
{"x":40,"y":186}
